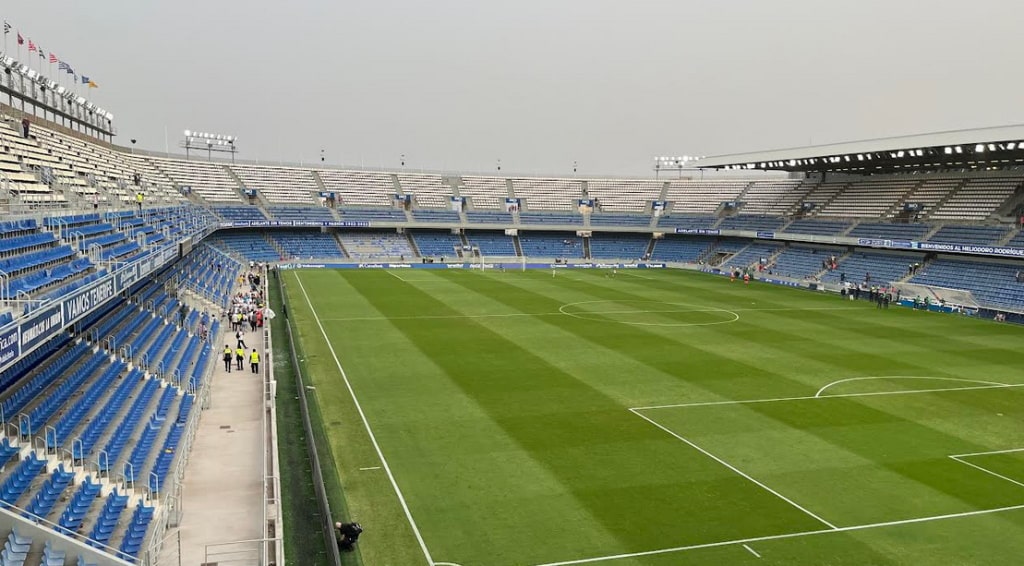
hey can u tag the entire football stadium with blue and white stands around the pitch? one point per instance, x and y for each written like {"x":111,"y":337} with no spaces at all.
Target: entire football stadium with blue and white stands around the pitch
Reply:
{"x":797,"y":357}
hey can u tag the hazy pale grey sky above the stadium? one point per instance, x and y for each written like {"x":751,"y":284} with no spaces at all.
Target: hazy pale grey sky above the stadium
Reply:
{"x":459,"y":84}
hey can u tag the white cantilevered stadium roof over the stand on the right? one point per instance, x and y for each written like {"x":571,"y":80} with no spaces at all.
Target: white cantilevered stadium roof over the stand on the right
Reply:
{"x":985,"y":149}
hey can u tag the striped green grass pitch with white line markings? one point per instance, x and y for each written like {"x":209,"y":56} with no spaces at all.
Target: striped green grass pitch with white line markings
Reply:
{"x":661,"y":418}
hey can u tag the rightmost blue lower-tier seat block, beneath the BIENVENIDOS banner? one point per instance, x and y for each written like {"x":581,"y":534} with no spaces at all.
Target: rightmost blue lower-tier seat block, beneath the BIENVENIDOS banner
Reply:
{"x":992,"y":284}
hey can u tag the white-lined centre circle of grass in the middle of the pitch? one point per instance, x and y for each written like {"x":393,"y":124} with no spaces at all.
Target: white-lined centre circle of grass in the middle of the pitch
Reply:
{"x":649,"y":314}
